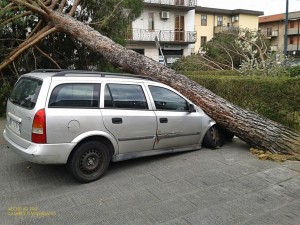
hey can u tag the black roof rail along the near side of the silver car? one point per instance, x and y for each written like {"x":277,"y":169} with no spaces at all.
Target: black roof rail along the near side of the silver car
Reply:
{"x":101,"y":74}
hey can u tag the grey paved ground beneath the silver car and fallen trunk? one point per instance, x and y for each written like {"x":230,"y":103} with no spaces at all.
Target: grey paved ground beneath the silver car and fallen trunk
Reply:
{"x":225,"y":186}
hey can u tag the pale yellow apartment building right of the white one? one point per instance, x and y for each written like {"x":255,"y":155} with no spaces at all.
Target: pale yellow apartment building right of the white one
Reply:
{"x":209,"y":21}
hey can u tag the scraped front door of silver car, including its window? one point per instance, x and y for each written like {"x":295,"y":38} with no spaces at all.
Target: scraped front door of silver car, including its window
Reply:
{"x":177,"y":126}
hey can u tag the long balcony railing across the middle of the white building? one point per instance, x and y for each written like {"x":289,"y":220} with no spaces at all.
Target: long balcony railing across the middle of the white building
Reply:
{"x":162,"y":35}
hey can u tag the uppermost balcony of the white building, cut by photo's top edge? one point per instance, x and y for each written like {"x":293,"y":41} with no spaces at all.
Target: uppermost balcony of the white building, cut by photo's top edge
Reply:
{"x":179,"y":4}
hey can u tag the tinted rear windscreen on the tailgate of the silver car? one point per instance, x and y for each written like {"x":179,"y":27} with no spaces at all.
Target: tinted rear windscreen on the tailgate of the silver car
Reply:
{"x":26,"y":92}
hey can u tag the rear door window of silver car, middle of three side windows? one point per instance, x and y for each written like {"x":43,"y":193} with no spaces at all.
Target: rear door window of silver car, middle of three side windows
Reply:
{"x":124,"y":96}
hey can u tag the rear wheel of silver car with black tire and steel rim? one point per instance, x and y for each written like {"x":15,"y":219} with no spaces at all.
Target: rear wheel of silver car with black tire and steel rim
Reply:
{"x":89,"y":161}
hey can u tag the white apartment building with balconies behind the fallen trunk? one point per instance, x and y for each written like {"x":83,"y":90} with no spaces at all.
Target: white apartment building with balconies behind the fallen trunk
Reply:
{"x":171,"y":23}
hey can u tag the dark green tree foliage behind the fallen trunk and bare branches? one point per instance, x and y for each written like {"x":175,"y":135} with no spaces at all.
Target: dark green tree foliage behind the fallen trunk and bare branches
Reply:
{"x":111,"y":17}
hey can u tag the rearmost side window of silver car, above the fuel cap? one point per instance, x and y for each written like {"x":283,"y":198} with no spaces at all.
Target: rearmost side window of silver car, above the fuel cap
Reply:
{"x":75,"y":96}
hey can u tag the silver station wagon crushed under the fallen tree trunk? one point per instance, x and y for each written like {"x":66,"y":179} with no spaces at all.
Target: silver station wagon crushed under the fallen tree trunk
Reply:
{"x":86,"y":119}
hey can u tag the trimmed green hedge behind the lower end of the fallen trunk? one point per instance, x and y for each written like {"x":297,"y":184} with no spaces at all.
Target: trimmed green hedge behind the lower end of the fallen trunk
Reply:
{"x":276,"y":98}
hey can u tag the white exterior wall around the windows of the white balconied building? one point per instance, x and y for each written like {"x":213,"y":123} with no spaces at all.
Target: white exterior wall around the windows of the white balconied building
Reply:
{"x":164,"y":29}
